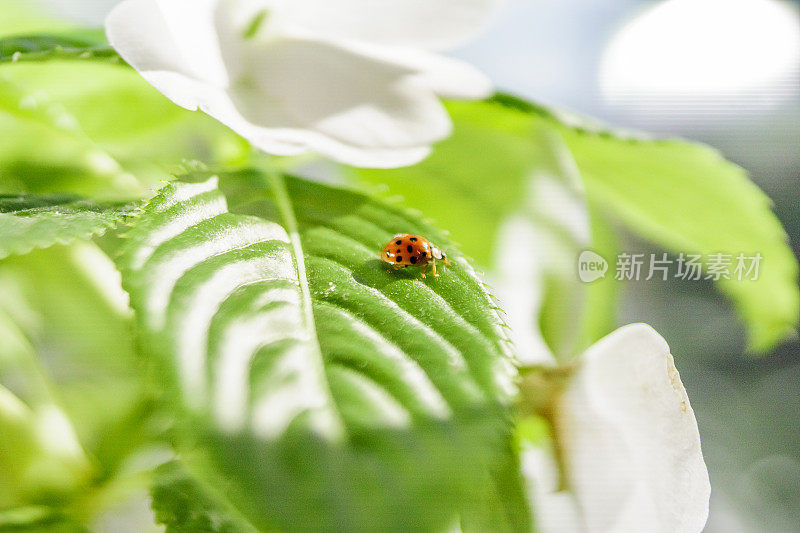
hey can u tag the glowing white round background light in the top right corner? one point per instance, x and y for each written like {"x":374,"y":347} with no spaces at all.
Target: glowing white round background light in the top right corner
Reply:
{"x":705,"y":48}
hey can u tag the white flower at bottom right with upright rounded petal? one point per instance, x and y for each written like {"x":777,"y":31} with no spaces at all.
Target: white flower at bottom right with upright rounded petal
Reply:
{"x":629,"y":445}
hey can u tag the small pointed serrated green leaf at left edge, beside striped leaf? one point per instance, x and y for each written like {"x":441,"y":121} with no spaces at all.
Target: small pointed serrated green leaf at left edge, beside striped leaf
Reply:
{"x":40,"y":221}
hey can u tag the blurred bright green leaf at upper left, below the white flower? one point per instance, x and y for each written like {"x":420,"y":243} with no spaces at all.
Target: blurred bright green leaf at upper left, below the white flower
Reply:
{"x":113,"y":137}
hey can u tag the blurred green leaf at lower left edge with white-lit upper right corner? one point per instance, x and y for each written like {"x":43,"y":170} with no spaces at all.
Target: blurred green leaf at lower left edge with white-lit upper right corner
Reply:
{"x":67,"y":339}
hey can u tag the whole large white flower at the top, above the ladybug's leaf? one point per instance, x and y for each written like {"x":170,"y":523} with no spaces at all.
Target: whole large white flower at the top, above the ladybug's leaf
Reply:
{"x":355,"y":80}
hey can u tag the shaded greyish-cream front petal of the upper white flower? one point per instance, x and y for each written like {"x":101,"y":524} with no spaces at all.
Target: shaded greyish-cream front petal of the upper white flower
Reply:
{"x":295,"y":83}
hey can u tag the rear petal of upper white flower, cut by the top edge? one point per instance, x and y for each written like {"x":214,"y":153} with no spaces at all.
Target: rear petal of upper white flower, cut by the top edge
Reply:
{"x":431,"y":24}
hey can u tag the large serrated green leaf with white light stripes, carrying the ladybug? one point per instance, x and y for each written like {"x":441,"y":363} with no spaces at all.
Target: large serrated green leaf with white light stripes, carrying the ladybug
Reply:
{"x":327,"y":390}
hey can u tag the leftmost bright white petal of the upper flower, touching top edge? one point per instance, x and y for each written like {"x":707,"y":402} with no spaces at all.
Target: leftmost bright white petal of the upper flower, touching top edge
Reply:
{"x":171,"y":35}
